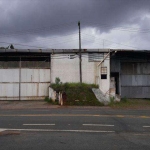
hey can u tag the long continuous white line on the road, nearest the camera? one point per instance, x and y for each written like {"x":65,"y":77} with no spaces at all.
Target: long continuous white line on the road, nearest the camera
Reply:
{"x":46,"y":130}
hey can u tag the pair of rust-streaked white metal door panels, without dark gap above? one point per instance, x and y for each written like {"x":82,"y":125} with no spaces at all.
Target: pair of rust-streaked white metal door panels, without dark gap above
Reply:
{"x":34,"y":84}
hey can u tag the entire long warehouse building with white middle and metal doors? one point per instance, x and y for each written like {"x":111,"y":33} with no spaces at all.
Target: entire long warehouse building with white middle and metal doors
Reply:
{"x":27,"y":74}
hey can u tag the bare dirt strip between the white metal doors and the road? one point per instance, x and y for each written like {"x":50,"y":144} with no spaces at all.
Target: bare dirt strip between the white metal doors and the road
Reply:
{"x":26,"y":105}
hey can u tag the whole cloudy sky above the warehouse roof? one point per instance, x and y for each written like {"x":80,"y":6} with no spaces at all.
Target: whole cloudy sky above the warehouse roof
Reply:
{"x":54,"y":24}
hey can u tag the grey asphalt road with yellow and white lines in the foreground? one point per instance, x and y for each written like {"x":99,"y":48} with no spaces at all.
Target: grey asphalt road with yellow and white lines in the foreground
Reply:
{"x":75,"y":128}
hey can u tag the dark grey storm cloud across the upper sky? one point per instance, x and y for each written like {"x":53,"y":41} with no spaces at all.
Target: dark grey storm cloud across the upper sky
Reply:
{"x":27,"y":19}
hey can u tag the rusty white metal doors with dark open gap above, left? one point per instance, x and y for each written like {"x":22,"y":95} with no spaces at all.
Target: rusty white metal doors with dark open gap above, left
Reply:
{"x":28,"y":79}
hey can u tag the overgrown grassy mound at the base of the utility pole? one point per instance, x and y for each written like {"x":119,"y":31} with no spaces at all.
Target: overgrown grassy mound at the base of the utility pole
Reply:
{"x":78,"y":94}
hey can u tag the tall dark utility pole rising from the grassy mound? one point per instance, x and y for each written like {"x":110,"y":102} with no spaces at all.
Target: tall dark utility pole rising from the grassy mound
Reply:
{"x":80,"y":59}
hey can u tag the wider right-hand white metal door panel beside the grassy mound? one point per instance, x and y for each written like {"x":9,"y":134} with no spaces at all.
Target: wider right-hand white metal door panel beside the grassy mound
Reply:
{"x":34,"y":83}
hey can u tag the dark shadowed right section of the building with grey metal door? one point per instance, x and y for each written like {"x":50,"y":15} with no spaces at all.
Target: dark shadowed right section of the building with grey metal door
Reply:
{"x":131,"y":71}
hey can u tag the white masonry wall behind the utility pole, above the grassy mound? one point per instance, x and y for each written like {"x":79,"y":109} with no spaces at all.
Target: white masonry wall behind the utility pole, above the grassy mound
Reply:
{"x":68,"y":70}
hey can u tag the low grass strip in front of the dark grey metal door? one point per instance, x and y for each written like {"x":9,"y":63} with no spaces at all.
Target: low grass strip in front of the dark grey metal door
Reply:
{"x":131,"y":103}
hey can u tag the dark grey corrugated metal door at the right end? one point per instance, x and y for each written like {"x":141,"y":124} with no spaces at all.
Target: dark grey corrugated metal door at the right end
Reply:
{"x":135,"y":79}
